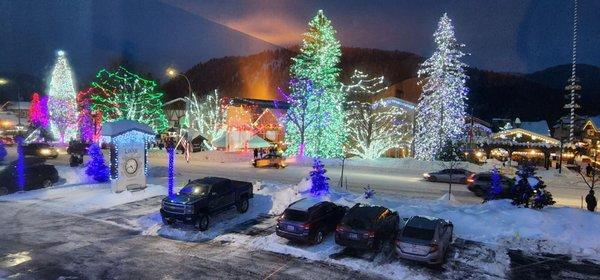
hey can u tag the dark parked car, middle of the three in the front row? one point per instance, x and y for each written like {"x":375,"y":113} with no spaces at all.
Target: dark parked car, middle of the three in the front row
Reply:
{"x":367,"y":227}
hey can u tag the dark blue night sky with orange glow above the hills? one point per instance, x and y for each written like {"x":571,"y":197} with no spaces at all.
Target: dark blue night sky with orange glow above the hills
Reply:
{"x":515,"y":36}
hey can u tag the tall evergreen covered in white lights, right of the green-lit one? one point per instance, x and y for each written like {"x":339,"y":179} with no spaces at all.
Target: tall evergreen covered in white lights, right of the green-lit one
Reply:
{"x":440,"y":115}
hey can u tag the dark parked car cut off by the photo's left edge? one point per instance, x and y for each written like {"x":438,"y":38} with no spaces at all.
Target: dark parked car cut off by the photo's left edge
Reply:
{"x":37,"y":175}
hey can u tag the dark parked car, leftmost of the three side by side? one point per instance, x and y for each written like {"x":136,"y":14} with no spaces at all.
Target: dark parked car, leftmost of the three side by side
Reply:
{"x":309,"y":220}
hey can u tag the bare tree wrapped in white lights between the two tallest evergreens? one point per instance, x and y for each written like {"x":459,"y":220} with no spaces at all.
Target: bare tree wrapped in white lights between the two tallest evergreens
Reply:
{"x":373,"y":127}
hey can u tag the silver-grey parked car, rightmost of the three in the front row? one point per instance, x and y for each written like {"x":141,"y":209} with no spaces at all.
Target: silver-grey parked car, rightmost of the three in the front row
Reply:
{"x":424,"y":239}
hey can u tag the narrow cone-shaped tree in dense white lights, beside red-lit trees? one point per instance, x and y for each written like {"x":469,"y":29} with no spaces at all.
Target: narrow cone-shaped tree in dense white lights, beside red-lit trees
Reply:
{"x":62,"y":104}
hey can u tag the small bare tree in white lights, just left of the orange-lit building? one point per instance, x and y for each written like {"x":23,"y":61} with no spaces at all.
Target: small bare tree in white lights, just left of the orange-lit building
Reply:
{"x":206,"y":117}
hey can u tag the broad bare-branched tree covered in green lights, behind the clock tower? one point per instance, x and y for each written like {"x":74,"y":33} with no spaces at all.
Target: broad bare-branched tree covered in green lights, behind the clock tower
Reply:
{"x":125,"y":95}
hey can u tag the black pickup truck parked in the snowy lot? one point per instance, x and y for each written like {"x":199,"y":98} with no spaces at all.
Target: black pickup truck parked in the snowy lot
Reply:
{"x":203,"y":197}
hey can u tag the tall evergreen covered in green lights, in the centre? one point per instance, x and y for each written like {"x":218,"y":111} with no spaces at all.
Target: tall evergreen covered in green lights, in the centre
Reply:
{"x":318,"y":61}
